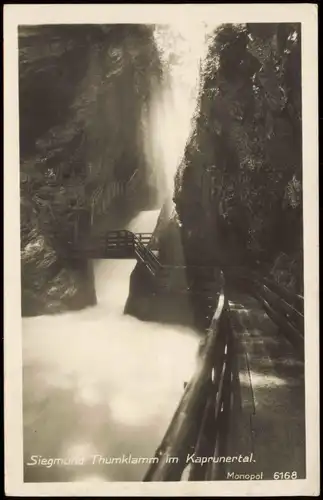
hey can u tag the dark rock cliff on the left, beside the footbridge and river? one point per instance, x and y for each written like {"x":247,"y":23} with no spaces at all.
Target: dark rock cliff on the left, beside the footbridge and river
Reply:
{"x":82,"y":92}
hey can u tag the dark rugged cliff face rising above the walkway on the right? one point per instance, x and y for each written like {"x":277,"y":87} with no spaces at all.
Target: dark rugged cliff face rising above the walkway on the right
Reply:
{"x":238,"y":191}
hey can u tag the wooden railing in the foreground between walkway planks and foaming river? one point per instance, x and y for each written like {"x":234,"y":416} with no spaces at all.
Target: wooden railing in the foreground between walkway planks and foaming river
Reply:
{"x":190,"y":431}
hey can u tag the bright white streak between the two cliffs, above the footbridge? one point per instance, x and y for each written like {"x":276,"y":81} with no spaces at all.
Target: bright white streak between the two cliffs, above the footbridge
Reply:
{"x":168,"y":119}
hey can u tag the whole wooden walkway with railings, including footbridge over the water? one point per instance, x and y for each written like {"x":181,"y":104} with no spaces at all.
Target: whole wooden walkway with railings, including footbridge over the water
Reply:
{"x":249,"y":371}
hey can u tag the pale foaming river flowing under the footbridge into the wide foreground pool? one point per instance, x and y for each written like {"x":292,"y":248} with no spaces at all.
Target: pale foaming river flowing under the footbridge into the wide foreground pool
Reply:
{"x":98,"y":383}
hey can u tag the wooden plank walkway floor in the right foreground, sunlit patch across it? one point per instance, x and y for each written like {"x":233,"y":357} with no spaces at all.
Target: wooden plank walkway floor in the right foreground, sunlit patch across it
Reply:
{"x":268,"y":400}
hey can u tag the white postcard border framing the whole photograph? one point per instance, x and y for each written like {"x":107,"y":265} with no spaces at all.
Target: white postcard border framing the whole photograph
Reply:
{"x":157,"y":13}
